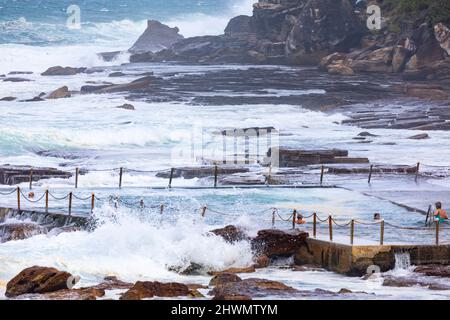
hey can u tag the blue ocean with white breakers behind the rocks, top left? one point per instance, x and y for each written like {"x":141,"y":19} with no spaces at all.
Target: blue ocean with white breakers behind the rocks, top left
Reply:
{"x":38,"y":29}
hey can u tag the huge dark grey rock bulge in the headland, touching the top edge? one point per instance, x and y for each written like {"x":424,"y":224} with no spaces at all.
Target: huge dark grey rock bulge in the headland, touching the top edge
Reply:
{"x":323,"y":27}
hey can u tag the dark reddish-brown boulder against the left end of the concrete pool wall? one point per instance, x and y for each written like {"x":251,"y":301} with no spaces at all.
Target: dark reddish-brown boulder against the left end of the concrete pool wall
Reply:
{"x":276,"y":243}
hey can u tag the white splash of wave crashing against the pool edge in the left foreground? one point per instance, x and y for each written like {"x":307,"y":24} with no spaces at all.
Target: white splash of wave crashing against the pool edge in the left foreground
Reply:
{"x":129,"y":246}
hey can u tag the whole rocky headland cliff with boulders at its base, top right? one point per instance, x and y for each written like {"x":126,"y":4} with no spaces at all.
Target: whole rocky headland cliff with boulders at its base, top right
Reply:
{"x":414,"y":38}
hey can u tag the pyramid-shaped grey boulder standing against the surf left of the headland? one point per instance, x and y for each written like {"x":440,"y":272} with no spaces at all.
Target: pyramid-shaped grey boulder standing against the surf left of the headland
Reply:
{"x":156,"y":37}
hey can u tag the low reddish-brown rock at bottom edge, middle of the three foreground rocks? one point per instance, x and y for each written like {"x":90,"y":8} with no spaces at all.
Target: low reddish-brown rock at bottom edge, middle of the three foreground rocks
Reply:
{"x":143,"y":290}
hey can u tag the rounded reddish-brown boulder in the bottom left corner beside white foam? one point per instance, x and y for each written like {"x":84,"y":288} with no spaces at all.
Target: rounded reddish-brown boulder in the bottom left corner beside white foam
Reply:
{"x":37,"y":280}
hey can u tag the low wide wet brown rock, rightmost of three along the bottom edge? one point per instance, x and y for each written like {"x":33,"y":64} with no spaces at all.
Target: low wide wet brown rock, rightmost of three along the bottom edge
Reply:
{"x":254,"y":288}
